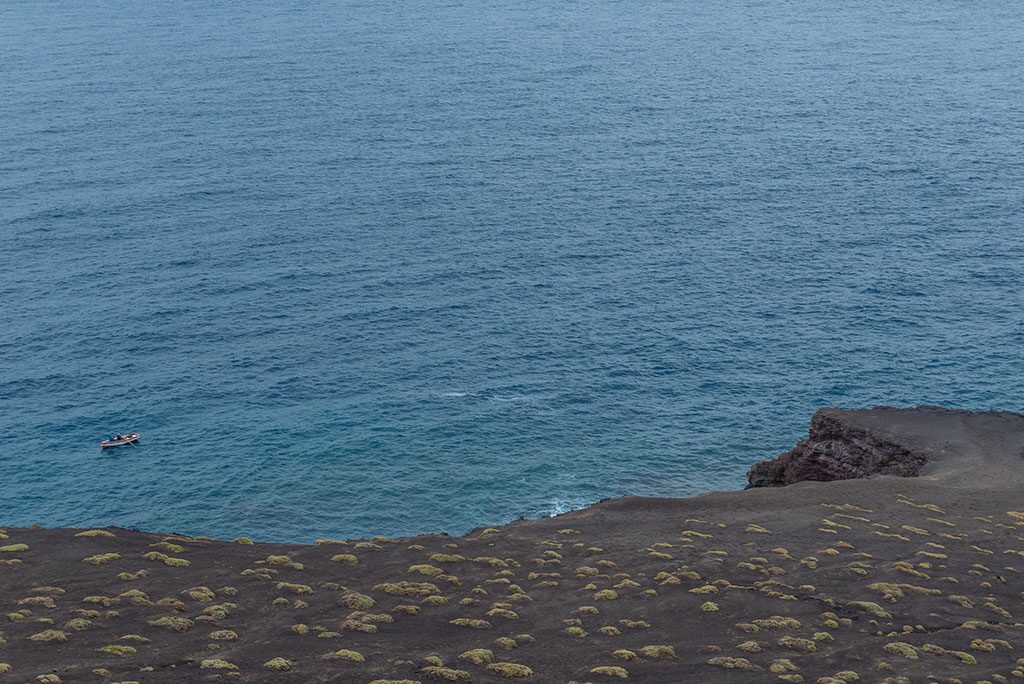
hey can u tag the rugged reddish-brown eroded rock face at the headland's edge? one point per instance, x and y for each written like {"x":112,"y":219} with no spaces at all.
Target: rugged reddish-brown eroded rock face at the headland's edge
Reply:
{"x":836,"y":451}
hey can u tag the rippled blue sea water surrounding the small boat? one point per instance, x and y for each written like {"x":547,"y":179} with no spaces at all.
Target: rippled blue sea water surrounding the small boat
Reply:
{"x":365,"y":267}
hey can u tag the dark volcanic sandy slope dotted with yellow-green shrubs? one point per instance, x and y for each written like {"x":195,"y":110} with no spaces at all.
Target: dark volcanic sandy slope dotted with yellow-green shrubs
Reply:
{"x":884,"y":579}
